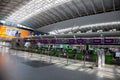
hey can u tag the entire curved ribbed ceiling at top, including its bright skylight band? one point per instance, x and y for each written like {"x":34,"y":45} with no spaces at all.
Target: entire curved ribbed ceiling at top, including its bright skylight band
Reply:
{"x":39,"y":13}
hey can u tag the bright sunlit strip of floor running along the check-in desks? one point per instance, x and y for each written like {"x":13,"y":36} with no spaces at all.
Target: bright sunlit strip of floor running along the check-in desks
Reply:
{"x":72,"y":65}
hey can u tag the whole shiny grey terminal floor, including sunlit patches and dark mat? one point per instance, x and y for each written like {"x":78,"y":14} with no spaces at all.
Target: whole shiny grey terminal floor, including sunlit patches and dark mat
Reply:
{"x":19,"y":65}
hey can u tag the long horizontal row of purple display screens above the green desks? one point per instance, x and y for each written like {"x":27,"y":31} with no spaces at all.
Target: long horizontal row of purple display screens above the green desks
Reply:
{"x":76,"y":41}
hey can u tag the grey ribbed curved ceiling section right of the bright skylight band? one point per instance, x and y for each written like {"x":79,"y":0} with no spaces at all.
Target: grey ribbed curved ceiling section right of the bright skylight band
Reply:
{"x":71,"y":9}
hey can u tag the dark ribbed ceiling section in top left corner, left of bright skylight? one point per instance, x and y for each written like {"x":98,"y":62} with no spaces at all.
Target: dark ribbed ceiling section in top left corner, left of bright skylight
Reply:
{"x":7,"y":7}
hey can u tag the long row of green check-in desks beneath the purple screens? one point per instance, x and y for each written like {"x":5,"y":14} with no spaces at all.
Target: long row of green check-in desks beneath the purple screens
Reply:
{"x":91,"y":55}
